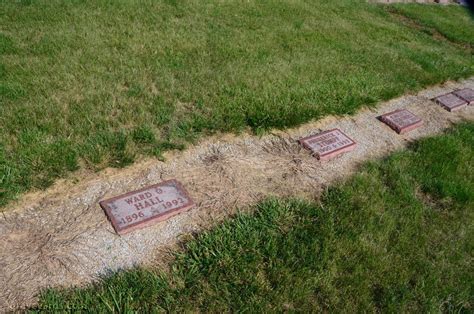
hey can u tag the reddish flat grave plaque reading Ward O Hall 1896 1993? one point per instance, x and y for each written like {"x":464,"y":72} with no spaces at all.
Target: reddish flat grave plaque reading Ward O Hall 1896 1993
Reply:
{"x":141,"y":208}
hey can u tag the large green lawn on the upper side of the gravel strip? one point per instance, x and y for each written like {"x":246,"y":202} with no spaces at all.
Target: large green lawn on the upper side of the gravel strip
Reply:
{"x":99,"y":83}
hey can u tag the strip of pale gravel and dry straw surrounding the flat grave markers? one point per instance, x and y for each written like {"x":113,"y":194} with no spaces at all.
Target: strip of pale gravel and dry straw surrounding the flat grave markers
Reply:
{"x":61,"y":237}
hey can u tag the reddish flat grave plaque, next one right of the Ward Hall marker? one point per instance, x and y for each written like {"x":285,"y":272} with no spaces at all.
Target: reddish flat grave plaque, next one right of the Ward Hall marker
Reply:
{"x":328,"y":144}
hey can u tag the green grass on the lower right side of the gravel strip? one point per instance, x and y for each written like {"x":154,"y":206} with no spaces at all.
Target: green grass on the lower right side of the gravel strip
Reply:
{"x":397,"y":237}
